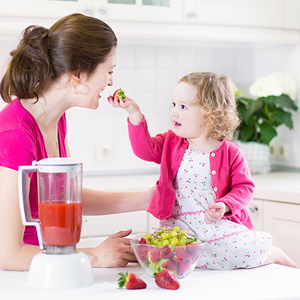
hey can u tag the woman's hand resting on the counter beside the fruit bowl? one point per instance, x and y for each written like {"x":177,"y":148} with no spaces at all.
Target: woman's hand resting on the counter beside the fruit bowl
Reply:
{"x":114,"y":252}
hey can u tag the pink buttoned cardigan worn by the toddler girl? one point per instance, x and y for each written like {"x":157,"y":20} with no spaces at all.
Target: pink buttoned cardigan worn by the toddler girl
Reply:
{"x":231,"y":178}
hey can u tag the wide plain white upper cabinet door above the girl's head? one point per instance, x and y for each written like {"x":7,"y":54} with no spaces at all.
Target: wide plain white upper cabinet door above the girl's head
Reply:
{"x":254,"y":13}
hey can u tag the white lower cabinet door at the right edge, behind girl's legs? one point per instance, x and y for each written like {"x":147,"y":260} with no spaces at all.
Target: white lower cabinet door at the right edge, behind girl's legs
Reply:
{"x":282,"y":221}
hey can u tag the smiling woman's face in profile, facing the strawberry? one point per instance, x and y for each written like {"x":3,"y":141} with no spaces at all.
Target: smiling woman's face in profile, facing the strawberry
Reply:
{"x":93,"y":86}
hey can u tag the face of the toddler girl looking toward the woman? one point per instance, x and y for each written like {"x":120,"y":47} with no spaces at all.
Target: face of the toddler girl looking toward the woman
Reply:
{"x":185,"y":117}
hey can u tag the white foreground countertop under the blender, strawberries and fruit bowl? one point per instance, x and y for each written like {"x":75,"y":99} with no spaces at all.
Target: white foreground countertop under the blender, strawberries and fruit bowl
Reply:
{"x":265,"y":283}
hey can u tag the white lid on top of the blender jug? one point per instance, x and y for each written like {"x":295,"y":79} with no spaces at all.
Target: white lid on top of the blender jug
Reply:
{"x":58,"y":164}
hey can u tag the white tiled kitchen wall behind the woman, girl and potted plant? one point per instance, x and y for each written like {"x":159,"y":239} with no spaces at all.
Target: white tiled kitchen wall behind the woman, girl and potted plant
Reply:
{"x":148,"y":71}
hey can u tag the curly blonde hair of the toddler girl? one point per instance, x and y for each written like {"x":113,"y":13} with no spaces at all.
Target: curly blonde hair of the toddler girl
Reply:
{"x":217,"y":103}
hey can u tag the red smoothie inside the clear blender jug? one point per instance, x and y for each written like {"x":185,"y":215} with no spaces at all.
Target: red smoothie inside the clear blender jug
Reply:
{"x":60,"y":222}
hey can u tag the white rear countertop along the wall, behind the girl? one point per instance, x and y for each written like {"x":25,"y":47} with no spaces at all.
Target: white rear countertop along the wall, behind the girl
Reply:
{"x":277,"y":186}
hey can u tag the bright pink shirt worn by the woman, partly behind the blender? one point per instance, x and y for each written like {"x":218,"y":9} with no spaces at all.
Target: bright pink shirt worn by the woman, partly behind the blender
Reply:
{"x":21,"y":142}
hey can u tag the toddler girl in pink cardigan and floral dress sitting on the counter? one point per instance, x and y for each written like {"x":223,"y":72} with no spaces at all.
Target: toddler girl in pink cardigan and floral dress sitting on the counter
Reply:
{"x":205,"y":183}
